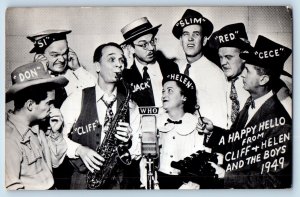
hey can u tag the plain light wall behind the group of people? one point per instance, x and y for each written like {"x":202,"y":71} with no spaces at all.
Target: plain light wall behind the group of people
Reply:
{"x":92,"y":26}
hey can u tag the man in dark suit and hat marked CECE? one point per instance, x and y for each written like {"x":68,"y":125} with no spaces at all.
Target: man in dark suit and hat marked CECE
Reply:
{"x":259,"y":130}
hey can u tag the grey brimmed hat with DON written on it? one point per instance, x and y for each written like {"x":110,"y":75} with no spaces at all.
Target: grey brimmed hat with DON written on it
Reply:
{"x":29,"y":75}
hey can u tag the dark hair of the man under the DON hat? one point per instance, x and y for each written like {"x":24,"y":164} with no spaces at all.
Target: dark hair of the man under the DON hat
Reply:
{"x":37,"y":93}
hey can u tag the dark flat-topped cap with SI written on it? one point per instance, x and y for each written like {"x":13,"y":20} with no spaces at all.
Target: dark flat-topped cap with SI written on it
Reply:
{"x":43,"y":39}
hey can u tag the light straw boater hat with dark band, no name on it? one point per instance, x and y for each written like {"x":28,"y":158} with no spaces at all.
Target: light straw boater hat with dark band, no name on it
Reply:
{"x":137,"y":28}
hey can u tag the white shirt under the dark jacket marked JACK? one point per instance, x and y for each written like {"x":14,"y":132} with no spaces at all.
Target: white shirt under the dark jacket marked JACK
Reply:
{"x":156,"y":80}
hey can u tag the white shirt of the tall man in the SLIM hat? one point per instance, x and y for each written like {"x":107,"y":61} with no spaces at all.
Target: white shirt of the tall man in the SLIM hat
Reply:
{"x":211,"y":89}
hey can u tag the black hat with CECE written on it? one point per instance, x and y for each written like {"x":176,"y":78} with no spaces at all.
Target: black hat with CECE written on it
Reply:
{"x":267,"y":53}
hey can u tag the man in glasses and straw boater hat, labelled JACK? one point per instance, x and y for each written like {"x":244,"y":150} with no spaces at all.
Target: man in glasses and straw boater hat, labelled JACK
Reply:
{"x":149,"y":66}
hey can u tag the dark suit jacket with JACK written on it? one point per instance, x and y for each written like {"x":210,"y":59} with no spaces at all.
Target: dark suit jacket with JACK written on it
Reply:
{"x":133,"y":77}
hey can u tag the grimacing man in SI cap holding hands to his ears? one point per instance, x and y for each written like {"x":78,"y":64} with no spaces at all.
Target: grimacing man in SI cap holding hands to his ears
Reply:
{"x":51,"y":48}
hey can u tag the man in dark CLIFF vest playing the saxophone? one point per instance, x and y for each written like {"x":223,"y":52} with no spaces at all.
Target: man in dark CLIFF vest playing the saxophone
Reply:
{"x":88,"y":116}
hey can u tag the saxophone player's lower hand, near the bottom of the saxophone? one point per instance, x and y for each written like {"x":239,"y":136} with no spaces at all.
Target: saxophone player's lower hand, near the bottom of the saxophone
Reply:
{"x":90,"y":158}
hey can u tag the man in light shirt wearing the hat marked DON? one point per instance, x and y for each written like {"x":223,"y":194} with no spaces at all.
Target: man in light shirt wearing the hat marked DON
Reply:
{"x":31,"y":152}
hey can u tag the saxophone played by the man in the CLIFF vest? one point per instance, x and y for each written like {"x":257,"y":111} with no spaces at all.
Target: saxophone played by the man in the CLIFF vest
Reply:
{"x":111,"y":149}
